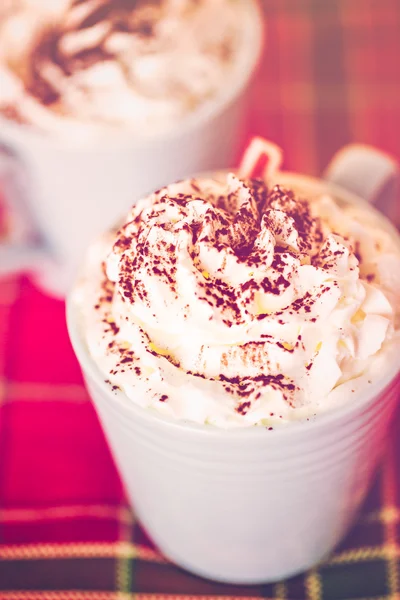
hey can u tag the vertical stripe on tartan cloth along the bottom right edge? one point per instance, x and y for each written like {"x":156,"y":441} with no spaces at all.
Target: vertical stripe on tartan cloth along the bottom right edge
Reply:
{"x":388,"y":490}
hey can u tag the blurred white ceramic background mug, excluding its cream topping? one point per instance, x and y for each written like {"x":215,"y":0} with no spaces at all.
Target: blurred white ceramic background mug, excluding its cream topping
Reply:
{"x":65,"y":196}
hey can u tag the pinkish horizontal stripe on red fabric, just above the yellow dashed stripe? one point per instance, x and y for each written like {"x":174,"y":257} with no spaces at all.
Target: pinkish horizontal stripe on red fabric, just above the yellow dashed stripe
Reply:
{"x":53,"y":513}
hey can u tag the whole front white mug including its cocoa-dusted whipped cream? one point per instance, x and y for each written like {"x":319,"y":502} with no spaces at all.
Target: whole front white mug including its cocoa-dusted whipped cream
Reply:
{"x":247,"y":504}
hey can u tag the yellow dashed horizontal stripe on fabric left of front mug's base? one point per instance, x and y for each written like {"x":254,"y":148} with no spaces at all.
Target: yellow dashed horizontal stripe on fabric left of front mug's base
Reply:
{"x":80,"y":550}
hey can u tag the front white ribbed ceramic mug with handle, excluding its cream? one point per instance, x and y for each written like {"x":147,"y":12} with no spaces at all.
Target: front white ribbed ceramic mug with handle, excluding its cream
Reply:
{"x":251,"y":506}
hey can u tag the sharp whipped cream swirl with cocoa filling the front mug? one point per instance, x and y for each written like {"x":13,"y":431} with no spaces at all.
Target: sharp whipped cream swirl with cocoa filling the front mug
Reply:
{"x":224,"y":302}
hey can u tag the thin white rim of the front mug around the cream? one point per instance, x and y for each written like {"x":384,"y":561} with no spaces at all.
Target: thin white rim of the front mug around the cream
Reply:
{"x":325,"y":418}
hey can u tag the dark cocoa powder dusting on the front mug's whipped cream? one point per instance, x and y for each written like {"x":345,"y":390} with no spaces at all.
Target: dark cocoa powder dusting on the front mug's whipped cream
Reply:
{"x":233,"y":227}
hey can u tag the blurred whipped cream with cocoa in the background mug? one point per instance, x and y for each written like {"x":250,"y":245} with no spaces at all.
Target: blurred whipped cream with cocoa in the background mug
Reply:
{"x":72,"y":65}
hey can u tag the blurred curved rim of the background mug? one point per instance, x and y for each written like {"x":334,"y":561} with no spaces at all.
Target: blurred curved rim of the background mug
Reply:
{"x":253,"y":45}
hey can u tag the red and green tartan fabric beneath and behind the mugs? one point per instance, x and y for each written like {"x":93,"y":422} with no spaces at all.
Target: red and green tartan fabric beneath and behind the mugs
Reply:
{"x":329,"y":76}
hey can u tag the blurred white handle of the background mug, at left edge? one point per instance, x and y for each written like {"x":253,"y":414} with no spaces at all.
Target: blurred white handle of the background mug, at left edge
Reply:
{"x":25,"y":250}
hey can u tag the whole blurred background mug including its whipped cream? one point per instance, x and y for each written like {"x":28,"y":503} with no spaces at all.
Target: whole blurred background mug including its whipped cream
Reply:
{"x":95,"y":116}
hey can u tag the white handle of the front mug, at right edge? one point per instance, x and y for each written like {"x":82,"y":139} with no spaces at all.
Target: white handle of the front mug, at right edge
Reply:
{"x":370,"y":174}
